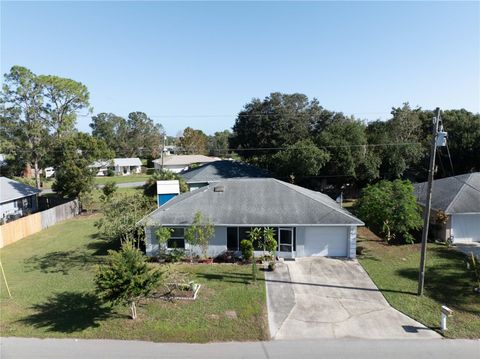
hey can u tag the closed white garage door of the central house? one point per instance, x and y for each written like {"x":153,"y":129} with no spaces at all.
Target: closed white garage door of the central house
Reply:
{"x":326,"y":241}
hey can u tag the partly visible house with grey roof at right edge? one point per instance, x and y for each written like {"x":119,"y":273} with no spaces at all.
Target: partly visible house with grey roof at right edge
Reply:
{"x":457,"y":200}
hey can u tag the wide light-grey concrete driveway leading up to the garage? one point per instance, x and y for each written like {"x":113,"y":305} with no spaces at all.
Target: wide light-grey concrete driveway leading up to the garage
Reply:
{"x":317,"y":298}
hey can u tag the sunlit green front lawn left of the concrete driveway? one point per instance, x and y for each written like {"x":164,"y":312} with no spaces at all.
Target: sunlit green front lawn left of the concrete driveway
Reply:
{"x":50,"y":275}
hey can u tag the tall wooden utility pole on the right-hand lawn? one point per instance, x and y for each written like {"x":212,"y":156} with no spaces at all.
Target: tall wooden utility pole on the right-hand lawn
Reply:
{"x":428,"y":202}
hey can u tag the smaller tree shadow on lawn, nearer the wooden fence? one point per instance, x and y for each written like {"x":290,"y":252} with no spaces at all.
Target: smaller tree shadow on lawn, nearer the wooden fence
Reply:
{"x":61,"y":261}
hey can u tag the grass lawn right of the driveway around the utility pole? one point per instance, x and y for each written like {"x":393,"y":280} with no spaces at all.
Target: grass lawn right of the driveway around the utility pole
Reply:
{"x":394,"y":269}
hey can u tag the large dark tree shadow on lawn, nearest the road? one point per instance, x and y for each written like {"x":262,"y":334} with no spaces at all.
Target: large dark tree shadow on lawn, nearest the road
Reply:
{"x":68,"y":312}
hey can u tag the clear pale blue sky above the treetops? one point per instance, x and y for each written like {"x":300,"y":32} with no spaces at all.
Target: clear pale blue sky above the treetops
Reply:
{"x":197,"y":64}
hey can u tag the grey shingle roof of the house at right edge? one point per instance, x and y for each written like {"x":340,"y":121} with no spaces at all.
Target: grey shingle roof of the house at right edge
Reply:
{"x":458,"y":194}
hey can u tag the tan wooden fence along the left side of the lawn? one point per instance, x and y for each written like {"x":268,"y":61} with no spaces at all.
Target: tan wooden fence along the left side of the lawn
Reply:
{"x":26,"y":226}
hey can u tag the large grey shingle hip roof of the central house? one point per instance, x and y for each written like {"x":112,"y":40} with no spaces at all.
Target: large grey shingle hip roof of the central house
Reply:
{"x":253,"y":202}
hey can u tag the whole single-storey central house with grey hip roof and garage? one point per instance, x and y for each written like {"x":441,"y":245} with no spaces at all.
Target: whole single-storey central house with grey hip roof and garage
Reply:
{"x":306,"y":223}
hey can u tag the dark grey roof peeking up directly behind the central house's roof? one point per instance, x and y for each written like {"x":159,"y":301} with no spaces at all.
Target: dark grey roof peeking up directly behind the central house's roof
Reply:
{"x":221,"y":170}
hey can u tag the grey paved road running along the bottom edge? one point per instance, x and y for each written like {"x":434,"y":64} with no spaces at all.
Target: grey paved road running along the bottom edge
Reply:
{"x":20,"y":348}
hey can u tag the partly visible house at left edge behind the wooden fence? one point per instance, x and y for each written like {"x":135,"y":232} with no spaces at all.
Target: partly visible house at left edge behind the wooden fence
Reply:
{"x":16,"y":199}
